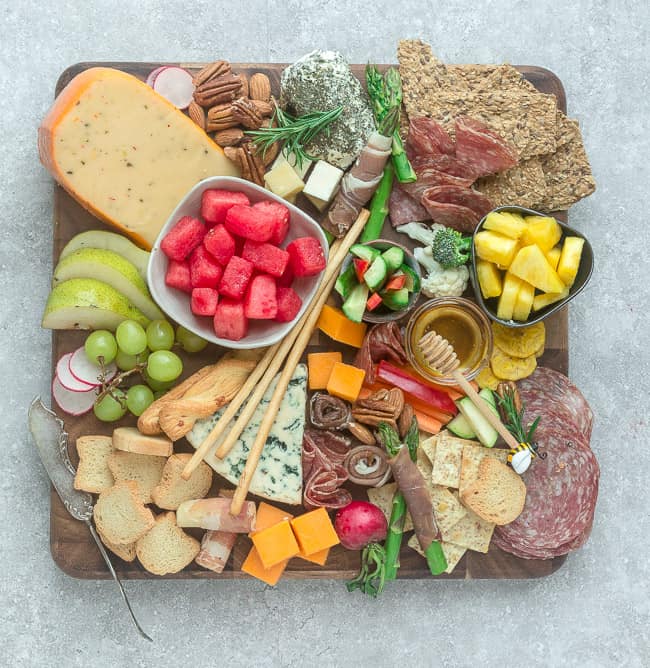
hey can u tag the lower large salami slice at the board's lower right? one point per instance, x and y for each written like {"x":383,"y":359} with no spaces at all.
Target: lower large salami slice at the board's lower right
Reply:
{"x":561,"y":492}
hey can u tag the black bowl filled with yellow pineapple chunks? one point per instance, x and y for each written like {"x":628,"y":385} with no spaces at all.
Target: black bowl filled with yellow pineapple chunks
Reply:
{"x":527,"y":265}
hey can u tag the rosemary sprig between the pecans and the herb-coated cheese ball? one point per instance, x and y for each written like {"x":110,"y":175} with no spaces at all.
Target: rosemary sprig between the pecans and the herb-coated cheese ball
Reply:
{"x":295,"y":132}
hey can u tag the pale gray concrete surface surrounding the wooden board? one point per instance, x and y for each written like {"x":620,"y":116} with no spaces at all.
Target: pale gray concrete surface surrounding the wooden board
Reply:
{"x":595,"y":610}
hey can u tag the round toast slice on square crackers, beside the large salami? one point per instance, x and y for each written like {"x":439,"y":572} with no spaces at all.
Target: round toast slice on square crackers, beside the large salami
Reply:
{"x":497,"y":495}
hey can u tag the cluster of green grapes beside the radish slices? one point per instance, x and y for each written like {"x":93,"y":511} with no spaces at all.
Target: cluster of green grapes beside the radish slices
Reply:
{"x":148,"y":351}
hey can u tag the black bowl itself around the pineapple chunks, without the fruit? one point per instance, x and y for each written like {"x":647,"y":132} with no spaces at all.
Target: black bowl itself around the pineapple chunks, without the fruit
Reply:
{"x":582,"y":278}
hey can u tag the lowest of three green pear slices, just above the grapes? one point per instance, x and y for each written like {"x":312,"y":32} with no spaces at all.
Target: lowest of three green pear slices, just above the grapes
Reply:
{"x":86,"y":303}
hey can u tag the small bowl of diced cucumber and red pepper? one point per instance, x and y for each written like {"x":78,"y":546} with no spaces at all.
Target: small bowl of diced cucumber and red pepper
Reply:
{"x":379,"y":282}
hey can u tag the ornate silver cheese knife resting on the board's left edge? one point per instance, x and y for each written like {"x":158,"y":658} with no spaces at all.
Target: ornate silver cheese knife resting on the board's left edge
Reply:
{"x":52,"y":444}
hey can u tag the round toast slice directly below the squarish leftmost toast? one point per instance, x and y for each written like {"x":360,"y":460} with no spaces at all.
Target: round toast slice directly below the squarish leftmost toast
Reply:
{"x":120,"y":516}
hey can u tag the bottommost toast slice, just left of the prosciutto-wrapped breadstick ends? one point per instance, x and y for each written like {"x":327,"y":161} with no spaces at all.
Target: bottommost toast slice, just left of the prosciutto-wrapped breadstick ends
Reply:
{"x":166,"y":548}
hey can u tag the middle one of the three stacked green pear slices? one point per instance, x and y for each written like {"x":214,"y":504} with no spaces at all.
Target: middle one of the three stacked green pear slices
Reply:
{"x":109,"y":267}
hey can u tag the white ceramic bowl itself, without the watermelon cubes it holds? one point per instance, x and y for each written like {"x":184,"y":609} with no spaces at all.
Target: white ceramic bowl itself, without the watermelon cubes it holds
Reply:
{"x":176,"y":304}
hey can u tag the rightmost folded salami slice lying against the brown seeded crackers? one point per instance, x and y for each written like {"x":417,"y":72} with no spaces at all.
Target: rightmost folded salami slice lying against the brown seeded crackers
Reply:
{"x":485,"y":150}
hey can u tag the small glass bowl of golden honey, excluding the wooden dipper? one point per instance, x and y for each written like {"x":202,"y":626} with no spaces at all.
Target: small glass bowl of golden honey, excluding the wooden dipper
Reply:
{"x":462,"y":323}
